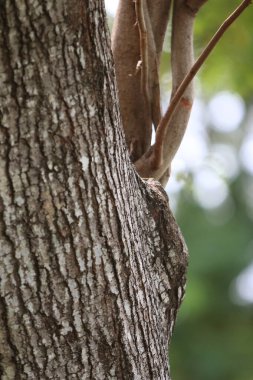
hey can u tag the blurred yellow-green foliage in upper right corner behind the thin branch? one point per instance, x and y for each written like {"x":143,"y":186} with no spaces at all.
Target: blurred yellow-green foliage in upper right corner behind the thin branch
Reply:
{"x":230,"y":64}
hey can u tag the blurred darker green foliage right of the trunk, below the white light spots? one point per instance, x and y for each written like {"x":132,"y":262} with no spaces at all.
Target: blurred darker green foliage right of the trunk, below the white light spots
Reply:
{"x":213,"y":338}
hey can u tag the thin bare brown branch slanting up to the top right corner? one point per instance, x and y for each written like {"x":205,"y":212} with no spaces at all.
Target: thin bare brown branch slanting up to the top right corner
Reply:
{"x":162,"y":128}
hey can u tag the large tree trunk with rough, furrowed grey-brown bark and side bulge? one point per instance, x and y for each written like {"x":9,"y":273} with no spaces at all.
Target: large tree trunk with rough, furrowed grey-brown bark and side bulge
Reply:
{"x":92,"y":263}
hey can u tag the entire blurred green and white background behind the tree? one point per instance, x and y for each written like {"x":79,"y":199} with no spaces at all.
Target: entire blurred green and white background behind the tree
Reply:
{"x":211,"y":193}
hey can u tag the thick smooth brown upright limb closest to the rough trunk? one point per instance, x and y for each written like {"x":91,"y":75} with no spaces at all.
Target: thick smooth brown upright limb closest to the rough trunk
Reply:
{"x":139,"y":109}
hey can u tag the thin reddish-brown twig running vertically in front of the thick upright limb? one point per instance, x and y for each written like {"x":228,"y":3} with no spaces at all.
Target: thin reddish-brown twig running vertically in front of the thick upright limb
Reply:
{"x":140,"y":18}
